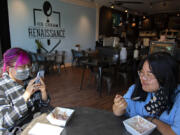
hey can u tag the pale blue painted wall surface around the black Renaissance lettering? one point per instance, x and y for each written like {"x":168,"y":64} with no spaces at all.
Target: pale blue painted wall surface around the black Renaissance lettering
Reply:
{"x":79,"y":23}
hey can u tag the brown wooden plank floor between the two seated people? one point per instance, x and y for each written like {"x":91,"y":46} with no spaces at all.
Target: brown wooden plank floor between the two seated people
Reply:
{"x":64,"y":89}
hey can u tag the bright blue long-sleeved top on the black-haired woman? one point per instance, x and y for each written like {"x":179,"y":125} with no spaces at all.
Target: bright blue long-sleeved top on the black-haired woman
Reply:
{"x":137,"y":108}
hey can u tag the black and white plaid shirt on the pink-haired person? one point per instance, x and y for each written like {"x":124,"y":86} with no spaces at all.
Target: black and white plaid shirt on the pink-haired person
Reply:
{"x":12,"y":104}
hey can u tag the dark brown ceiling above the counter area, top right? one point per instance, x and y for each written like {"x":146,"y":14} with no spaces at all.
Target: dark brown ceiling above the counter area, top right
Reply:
{"x":148,"y":6}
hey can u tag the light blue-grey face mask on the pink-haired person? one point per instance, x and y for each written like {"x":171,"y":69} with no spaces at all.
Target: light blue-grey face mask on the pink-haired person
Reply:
{"x":22,"y":74}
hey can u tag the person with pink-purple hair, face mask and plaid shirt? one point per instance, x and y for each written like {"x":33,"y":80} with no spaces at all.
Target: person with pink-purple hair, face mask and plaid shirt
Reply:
{"x":18,"y":99}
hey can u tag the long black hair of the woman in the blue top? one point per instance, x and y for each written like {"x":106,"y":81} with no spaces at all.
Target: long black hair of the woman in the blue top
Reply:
{"x":165,"y":69}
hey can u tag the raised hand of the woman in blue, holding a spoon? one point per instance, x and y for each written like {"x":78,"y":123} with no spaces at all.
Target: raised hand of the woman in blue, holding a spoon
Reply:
{"x":119,"y":106}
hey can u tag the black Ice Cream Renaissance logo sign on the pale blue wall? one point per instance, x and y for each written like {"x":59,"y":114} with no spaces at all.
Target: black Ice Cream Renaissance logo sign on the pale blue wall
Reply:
{"x":47,"y":26}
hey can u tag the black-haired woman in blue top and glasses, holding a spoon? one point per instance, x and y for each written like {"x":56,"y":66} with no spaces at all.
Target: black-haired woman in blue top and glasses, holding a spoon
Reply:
{"x":155,"y":95}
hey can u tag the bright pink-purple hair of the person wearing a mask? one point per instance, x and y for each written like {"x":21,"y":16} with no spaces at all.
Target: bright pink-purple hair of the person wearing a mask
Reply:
{"x":15,"y":55}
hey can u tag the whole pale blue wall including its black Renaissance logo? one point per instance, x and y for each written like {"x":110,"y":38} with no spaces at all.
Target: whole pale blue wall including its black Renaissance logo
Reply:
{"x":76,"y":24}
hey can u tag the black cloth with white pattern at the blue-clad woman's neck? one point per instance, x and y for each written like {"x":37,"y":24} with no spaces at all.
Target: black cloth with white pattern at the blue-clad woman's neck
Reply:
{"x":158,"y":103}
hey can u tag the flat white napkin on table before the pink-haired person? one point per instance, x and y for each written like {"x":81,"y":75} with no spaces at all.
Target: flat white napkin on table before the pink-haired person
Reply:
{"x":45,"y":129}
